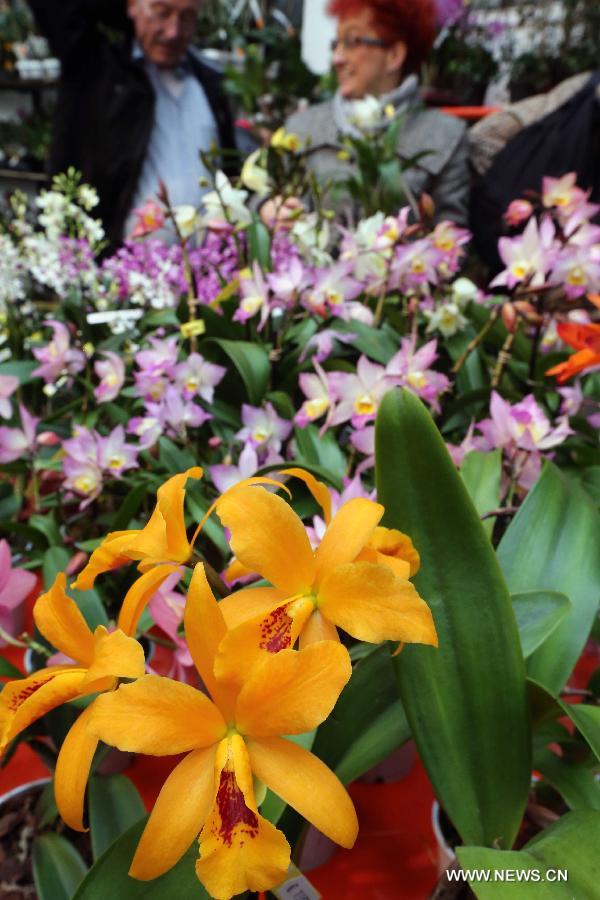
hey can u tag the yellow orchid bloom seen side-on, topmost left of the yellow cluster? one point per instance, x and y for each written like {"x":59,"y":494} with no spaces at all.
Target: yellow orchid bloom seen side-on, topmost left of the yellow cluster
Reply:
{"x":162,"y":540}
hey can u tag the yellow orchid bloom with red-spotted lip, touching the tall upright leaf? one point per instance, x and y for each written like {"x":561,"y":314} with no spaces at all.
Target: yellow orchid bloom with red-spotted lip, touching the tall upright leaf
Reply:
{"x":356,"y":579}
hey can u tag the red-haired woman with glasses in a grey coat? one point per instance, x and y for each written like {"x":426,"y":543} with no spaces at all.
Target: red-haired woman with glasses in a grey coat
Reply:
{"x":378,"y":50}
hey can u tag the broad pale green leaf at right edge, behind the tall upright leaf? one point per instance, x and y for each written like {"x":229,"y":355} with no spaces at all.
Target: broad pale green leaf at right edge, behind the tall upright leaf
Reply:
{"x":552,"y":544}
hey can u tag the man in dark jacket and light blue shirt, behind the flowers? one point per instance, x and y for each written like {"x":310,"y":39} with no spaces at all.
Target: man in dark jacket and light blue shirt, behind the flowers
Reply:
{"x":136,"y":103}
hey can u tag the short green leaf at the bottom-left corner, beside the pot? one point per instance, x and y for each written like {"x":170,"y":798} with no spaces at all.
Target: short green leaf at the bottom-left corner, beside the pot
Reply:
{"x":57,"y":867}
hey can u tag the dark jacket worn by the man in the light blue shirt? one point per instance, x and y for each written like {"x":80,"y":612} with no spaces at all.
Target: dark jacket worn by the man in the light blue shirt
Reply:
{"x":105,"y":108}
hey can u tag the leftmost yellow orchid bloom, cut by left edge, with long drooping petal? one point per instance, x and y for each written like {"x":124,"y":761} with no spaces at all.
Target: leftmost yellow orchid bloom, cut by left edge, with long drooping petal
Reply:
{"x":101,"y":659}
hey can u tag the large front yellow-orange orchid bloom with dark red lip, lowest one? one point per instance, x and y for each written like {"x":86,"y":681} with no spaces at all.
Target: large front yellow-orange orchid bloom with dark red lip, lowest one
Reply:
{"x":228,"y":740}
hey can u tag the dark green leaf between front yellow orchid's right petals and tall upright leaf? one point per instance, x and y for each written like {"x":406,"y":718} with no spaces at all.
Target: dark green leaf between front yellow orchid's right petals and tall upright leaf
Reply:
{"x":379,"y":739}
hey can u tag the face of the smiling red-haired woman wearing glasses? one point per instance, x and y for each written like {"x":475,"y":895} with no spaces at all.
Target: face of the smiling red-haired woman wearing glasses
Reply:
{"x":369,"y":68}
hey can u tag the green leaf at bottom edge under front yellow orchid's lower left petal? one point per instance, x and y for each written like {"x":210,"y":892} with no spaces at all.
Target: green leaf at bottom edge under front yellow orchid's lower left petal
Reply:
{"x":108,"y":878}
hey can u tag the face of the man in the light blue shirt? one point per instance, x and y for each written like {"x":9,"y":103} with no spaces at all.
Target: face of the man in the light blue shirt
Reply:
{"x":164,"y":28}
